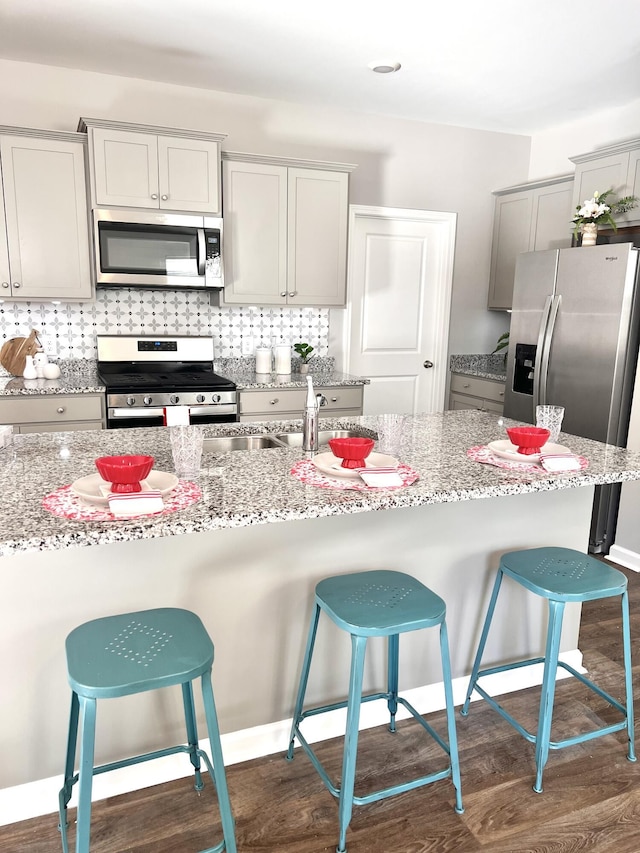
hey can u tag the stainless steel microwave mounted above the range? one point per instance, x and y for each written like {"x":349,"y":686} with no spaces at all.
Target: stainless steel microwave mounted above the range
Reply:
{"x":136,"y":248}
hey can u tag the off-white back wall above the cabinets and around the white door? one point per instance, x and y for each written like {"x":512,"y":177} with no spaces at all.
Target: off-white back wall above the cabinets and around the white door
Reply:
{"x":400,"y":163}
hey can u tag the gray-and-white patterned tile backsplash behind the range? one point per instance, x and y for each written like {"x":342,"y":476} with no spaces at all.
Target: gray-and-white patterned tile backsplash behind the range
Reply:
{"x":236,"y":331}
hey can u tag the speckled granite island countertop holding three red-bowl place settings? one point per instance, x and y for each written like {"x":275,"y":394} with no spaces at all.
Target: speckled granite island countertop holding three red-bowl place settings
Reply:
{"x":242,"y":488}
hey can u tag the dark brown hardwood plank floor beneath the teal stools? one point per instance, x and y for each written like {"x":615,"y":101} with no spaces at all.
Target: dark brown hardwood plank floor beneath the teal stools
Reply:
{"x":591,"y":798}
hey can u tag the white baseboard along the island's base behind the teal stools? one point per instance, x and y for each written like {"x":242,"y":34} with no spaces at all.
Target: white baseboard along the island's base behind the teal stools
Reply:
{"x":34,"y":799}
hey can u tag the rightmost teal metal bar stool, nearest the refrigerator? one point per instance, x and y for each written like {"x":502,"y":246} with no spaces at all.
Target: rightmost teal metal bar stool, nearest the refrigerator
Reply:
{"x":559,"y":575}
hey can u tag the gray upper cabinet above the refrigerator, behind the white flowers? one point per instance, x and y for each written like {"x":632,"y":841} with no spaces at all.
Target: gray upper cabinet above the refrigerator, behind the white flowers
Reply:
{"x":615,"y":167}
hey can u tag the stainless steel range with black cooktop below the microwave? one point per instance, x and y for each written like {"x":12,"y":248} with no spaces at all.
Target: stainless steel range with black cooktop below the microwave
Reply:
{"x":144,"y":375}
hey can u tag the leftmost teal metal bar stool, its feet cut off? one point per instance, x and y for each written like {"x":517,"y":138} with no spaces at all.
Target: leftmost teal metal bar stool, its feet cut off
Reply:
{"x":133,"y":653}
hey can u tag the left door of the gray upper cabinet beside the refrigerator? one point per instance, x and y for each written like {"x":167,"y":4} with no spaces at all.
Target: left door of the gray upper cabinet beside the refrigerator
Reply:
{"x":511,"y":234}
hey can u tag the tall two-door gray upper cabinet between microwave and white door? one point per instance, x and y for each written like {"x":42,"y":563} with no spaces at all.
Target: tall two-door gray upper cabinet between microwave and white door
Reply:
{"x":285,"y":237}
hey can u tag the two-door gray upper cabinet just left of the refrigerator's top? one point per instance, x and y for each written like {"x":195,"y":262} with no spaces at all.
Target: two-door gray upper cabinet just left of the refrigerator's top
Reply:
{"x":528,"y":217}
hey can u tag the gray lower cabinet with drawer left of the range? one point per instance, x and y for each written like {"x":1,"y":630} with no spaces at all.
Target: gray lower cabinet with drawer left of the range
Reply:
{"x":53,"y":412}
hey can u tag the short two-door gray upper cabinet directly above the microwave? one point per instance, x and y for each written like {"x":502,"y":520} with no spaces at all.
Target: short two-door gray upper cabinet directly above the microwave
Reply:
{"x":157,"y":168}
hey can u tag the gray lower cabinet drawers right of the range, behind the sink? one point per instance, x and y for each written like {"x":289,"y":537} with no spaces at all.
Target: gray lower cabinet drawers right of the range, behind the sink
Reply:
{"x":277,"y":404}
